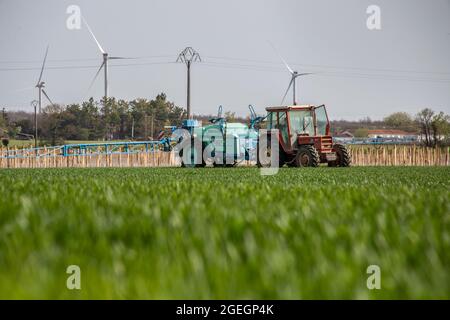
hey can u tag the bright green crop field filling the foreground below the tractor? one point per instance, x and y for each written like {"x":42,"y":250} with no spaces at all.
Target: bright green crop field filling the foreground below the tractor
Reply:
{"x":221,"y":233}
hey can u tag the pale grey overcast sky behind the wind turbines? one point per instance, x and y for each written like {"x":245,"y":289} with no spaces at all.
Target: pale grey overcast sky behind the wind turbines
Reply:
{"x":405,"y":66}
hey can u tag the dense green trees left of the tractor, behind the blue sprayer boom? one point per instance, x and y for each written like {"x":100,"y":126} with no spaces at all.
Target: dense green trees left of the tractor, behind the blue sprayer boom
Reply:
{"x":139,"y":119}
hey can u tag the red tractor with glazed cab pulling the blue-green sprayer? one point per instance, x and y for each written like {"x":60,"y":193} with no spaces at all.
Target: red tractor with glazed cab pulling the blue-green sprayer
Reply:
{"x":304,"y":137}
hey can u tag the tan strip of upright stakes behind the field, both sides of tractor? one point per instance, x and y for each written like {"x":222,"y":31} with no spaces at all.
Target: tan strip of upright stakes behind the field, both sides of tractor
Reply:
{"x":362,"y":155}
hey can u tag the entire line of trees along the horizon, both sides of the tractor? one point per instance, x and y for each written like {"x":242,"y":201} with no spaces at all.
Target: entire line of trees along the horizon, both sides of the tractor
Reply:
{"x":143,"y":119}
